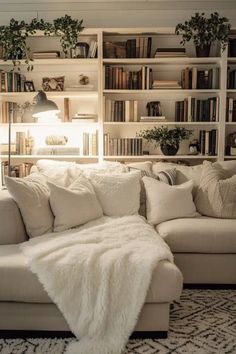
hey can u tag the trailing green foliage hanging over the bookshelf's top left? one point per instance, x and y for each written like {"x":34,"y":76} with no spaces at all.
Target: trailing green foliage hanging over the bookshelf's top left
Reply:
{"x":13,"y":36}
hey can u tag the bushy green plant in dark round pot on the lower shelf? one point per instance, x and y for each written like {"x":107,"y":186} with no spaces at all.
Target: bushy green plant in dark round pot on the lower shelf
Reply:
{"x":168,"y":139}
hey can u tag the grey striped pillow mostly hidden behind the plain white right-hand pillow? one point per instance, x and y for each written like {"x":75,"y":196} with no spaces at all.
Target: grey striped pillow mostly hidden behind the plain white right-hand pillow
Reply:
{"x":167,"y":176}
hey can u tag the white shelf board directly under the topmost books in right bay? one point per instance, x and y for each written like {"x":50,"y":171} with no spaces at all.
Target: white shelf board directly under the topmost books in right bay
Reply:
{"x":165,"y":60}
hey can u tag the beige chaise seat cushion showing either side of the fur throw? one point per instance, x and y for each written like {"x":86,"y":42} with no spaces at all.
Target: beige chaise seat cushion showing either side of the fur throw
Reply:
{"x":18,"y":283}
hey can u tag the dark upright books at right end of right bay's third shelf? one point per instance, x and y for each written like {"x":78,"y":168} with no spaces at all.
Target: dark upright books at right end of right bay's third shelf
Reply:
{"x":195,"y":110}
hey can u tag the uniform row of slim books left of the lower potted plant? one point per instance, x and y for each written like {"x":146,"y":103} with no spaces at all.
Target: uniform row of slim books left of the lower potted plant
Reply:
{"x":122,"y":146}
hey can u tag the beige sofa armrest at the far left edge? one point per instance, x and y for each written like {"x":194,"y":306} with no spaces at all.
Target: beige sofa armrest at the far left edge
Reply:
{"x":12,"y":228}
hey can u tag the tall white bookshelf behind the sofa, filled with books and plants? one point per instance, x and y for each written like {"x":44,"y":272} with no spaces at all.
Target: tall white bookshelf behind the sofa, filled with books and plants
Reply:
{"x":93,"y":101}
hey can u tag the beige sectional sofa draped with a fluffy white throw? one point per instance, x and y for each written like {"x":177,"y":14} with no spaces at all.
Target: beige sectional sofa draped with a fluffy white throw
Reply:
{"x":204,"y":251}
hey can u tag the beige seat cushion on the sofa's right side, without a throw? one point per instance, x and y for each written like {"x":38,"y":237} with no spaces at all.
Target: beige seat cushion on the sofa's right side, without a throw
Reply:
{"x":199,"y":235}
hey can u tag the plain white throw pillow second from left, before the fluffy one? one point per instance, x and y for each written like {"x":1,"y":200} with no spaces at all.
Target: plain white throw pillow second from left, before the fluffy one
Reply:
{"x":75,"y":205}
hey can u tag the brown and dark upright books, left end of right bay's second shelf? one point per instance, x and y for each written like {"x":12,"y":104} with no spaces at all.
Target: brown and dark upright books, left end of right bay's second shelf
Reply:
{"x":120,"y":78}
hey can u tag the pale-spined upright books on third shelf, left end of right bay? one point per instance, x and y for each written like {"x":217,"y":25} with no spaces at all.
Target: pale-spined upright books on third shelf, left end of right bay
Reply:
{"x":121,"y":111}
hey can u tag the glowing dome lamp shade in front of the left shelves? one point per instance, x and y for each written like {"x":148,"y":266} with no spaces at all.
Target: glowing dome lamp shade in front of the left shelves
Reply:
{"x":43,"y":105}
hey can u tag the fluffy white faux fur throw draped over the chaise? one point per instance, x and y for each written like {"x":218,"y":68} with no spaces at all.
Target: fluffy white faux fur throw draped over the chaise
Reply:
{"x":98,"y":276}
